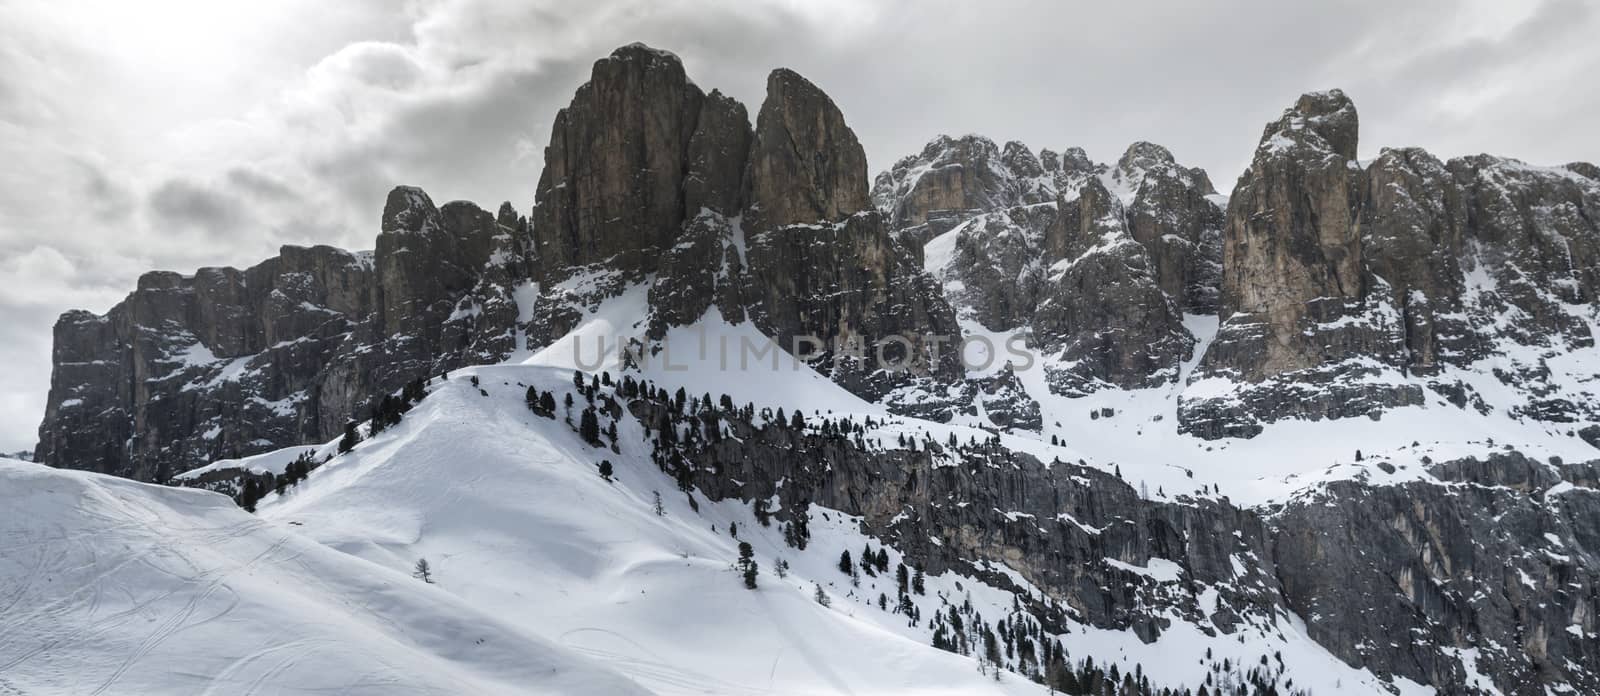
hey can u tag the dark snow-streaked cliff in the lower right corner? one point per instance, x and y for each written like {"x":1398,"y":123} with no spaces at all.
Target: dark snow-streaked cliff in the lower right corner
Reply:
{"x":1492,"y":567}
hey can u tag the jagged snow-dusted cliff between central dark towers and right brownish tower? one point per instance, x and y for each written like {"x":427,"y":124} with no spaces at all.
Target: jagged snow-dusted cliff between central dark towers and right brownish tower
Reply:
{"x":1097,"y":263}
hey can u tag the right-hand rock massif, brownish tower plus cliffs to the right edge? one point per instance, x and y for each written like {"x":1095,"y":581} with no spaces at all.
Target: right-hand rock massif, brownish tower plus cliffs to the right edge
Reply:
{"x":1350,"y":292}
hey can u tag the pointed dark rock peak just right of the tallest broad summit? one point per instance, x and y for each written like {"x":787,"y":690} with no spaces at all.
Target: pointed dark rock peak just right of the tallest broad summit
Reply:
{"x":806,"y":162}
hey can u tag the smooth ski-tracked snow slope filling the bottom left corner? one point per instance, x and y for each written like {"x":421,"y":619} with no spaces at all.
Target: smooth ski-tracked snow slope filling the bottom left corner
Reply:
{"x":119,"y":588}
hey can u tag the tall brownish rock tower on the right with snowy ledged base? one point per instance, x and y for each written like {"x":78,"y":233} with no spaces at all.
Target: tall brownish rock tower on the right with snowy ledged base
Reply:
{"x":1302,"y":335}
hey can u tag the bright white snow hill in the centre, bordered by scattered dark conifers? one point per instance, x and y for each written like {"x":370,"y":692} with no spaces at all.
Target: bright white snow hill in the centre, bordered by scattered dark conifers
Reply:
{"x":514,"y":519}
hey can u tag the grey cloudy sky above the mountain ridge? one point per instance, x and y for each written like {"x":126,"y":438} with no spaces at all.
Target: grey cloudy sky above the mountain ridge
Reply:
{"x":185,"y":134}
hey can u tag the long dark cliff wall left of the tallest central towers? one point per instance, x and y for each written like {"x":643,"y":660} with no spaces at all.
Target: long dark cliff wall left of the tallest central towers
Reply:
{"x":228,"y":362}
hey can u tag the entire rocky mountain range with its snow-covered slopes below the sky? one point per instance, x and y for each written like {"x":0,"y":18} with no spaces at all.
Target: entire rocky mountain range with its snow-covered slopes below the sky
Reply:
{"x":1330,"y":433}
